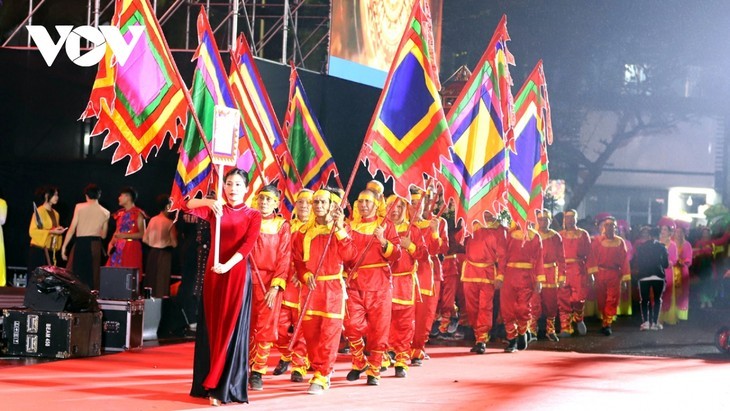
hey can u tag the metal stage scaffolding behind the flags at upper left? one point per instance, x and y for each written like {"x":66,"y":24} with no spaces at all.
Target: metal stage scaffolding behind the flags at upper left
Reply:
{"x":300,"y":26}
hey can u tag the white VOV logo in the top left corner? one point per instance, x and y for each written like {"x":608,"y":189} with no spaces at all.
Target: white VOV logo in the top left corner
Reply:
{"x":71,"y":37}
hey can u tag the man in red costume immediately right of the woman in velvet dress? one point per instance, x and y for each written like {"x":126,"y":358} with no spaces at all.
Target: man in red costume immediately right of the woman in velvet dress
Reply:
{"x":271,"y":258}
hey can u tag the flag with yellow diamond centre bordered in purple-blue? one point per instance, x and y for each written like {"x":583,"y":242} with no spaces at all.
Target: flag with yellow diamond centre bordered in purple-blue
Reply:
{"x":475,"y":177}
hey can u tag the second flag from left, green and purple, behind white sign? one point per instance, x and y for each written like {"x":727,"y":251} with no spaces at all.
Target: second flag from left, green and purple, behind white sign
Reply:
{"x":210,"y":88}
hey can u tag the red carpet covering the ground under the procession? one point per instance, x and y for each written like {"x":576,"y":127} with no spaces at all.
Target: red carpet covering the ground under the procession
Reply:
{"x":158,"y":378}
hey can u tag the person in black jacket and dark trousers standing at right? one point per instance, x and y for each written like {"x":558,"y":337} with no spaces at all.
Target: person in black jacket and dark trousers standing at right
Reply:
{"x":651,"y":260}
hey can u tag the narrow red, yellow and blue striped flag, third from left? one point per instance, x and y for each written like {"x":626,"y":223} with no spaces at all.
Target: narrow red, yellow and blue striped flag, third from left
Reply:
{"x":262,"y":126}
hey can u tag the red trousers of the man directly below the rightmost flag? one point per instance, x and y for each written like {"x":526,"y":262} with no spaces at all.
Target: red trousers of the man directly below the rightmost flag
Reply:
{"x":515,"y":296}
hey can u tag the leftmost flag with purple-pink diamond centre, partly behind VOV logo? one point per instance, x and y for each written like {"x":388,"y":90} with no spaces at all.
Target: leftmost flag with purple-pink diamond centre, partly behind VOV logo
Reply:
{"x":143,"y":100}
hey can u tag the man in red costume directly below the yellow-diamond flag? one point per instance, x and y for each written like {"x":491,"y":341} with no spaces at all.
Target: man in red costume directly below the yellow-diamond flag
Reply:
{"x":485,"y":248}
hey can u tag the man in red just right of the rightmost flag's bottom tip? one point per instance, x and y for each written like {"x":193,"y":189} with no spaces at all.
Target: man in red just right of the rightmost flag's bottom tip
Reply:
{"x":553,"y":256}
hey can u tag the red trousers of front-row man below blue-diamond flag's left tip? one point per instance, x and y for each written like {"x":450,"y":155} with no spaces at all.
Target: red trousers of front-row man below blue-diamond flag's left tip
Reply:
{"x":368,"y":315}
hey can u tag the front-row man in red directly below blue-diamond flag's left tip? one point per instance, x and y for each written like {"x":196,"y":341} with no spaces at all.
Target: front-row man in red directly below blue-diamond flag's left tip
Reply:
{"x":369,"y":288}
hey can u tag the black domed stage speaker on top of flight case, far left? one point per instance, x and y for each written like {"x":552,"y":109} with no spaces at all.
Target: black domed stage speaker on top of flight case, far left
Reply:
{"x":56,"y":289}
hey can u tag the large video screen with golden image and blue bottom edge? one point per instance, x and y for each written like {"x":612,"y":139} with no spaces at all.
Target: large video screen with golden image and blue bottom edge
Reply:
{"x":365,"y":35}
